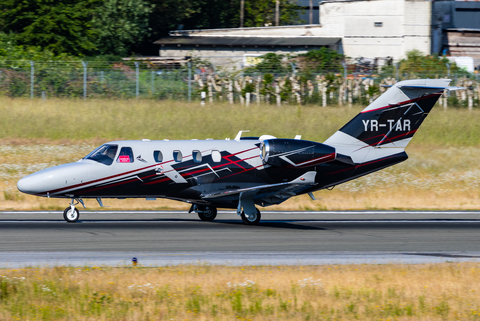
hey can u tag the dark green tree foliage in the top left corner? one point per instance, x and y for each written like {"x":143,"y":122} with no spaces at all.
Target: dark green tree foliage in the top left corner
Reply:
{"x":61,"y":26}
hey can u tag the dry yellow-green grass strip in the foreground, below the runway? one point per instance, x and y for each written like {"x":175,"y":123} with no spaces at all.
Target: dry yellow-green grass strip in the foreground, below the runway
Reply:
{"x":203,"y":292}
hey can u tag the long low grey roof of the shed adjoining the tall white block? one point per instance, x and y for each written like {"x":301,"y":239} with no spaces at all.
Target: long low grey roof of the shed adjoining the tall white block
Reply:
{"x":248,"y":41}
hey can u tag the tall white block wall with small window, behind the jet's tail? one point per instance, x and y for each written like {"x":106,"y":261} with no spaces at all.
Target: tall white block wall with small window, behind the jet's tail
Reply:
{"x":379,"y":28}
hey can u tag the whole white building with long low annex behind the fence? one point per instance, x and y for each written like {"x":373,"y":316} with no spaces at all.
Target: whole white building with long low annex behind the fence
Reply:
{"x":356,"y":28}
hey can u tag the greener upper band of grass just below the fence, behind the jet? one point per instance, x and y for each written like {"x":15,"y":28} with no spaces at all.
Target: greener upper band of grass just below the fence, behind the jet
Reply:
{"x":60,"y":119}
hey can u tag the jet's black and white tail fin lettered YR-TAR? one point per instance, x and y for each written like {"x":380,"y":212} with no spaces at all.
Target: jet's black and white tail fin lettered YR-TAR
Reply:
{"x":387,"y":125}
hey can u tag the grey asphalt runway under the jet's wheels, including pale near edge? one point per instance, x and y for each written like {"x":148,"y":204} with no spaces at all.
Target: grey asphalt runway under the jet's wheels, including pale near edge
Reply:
{"x":166,"y":237}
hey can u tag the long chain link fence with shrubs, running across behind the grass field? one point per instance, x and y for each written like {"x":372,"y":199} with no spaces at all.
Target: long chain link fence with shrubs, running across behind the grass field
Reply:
{"x":119,"y":80}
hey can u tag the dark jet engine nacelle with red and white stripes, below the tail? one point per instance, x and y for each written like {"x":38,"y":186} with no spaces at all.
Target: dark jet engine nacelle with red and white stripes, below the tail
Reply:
{"x":295,"y":153}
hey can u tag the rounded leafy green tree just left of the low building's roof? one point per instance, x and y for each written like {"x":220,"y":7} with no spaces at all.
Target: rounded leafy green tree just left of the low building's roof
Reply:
{"x":120,"y":25}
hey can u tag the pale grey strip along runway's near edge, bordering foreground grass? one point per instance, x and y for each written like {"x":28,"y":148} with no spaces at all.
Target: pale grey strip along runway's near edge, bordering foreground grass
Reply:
{"x":154,"y":259}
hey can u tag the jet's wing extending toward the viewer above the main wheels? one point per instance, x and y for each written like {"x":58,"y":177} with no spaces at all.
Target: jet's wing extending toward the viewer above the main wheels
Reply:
{"x":270,"y":193}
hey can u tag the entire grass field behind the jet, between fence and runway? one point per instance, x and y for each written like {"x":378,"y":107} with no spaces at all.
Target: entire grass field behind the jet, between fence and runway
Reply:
{"x":443,"y":171}
